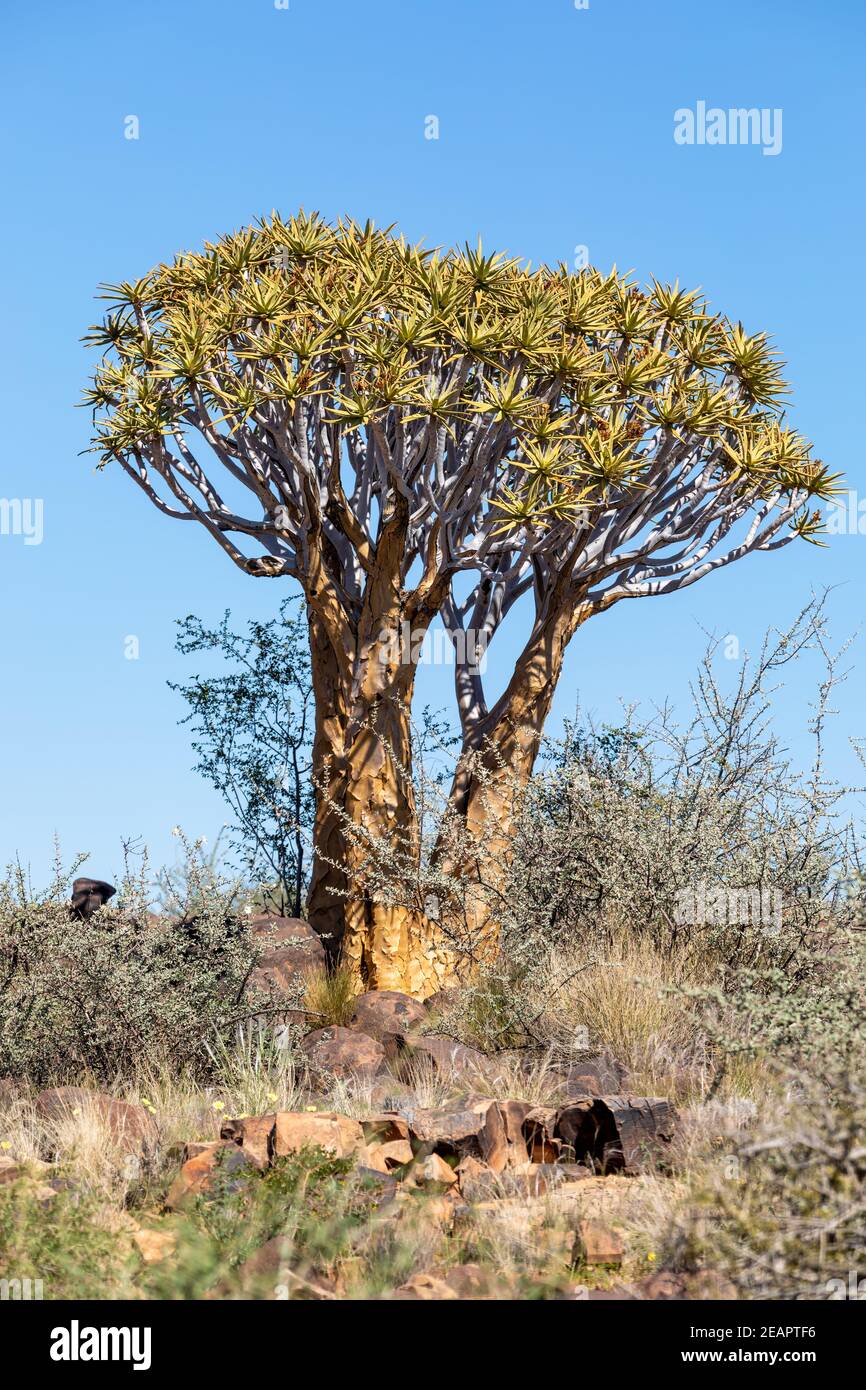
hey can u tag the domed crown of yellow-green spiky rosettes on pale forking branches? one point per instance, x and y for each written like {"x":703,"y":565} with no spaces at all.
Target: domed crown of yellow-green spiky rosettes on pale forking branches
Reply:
{"x":300,"y":387}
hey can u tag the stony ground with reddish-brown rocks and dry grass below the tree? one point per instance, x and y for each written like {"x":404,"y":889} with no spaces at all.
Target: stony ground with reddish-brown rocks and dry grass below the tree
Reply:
{"x":393,"y":1164}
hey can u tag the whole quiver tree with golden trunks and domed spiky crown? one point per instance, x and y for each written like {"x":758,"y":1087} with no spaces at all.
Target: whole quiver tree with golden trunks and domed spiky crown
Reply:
{"x":412,"y":434}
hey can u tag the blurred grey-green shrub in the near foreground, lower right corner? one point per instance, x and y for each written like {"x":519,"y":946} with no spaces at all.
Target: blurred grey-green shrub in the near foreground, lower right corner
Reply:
{"x":783,"y":1213}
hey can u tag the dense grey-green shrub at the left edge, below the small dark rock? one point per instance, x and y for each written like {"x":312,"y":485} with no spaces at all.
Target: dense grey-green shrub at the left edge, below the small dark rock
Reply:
{"x":127,"y":986}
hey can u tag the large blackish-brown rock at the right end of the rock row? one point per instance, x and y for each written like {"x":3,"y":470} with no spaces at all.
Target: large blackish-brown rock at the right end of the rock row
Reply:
{"x":616,"y":1134}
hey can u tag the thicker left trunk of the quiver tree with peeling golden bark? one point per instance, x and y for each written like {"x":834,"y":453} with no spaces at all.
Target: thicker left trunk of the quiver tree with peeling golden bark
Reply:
{"x":366,"y":822}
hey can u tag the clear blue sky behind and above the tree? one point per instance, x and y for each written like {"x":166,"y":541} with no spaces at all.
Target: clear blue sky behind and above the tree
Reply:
{"x":555,"y":133}
